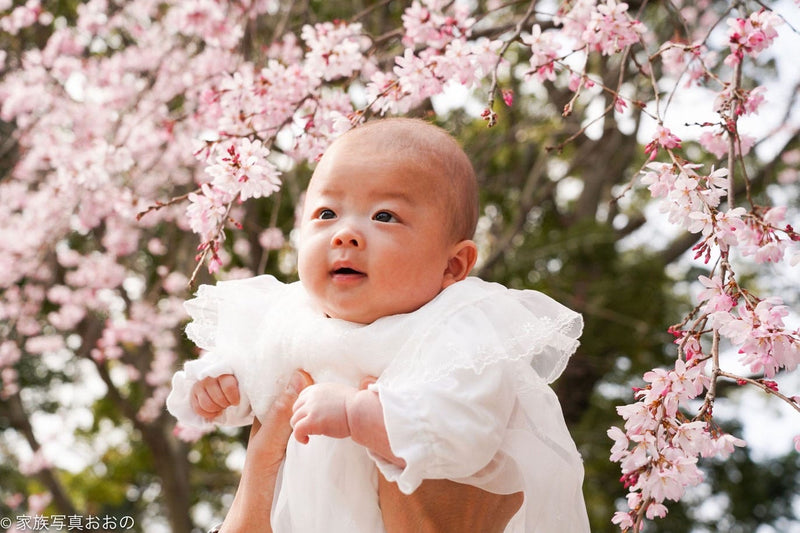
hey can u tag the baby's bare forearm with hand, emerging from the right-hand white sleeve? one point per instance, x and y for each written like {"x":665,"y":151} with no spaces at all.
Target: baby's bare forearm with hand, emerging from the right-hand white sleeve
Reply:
{"x":341,"y":411}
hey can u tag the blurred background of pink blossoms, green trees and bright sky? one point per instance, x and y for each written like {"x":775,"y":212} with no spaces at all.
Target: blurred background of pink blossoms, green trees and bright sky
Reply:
{"x":102,"y":115}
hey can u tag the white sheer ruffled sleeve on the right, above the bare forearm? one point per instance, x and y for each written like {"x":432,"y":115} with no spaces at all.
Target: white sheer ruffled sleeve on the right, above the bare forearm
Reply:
{"x":449,"y":395}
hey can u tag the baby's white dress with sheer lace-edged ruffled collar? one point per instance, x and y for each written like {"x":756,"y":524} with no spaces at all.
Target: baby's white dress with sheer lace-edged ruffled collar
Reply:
{"x":463,"y":381}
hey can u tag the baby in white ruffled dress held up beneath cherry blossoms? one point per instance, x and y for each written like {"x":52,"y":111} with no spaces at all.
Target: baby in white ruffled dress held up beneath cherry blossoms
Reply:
{"x":420,"y":372}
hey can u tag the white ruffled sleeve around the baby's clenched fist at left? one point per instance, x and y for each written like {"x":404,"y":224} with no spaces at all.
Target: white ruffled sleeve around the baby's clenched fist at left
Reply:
{"x":225,"y":324}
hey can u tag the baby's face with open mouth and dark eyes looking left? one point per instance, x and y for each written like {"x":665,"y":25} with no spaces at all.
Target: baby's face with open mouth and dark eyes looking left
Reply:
{"x":374,"y":239}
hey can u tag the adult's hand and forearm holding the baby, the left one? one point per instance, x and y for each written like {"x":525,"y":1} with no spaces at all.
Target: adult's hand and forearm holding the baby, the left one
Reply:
{"x":250,"y":511}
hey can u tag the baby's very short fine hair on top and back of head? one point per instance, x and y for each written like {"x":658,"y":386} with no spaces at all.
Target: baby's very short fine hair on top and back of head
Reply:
{"x":438,"y":152}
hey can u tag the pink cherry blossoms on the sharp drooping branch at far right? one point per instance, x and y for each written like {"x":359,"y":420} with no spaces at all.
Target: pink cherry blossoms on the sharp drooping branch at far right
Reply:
{"x":659,"y":448}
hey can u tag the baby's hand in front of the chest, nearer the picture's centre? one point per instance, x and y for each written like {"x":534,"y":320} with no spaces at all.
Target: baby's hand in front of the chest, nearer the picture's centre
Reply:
{"x":321,"y":409}
